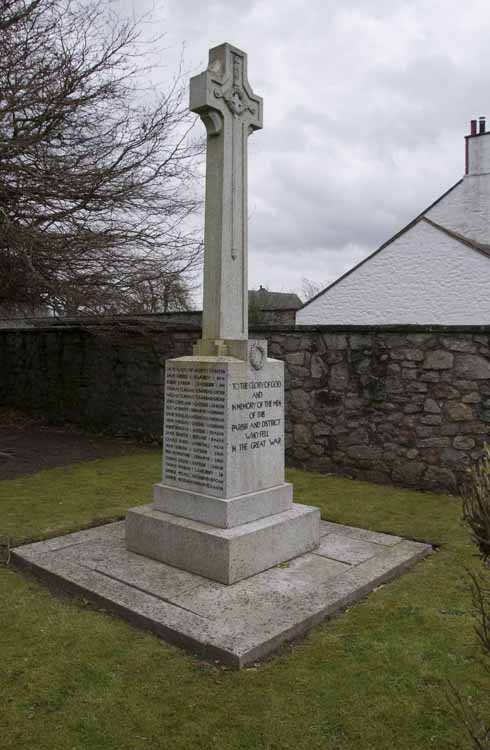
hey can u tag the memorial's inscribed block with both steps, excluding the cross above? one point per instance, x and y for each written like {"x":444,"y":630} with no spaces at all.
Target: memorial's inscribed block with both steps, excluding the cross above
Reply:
{"x":223,"y":509}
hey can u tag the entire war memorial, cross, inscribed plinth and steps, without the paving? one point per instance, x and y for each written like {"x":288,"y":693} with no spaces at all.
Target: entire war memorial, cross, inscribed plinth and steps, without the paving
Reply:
{"x":223,"y":509}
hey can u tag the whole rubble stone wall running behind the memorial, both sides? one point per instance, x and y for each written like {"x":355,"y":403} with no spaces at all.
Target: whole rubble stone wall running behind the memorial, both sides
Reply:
{"x":409,"y":406}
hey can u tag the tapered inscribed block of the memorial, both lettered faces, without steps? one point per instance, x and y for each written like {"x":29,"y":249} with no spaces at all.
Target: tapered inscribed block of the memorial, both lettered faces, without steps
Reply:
{"x":224,"y":427}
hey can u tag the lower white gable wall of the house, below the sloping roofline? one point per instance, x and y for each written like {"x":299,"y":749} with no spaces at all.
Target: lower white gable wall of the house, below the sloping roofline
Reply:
{"x":423,"y":277}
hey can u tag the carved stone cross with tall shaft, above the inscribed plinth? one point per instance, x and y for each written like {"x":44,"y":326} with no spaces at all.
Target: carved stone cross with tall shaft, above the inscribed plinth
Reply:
{"x":222,"y":97}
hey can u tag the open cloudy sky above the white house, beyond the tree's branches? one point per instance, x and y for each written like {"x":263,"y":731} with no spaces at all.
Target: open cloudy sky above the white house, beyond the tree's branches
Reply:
{"x":366,"y":103}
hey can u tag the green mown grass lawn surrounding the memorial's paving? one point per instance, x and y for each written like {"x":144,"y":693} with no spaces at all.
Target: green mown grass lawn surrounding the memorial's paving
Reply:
{"x":375,"y":677}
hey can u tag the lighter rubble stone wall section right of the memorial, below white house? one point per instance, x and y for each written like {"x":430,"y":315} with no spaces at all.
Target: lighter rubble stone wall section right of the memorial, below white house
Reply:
{"x":410,"y":408}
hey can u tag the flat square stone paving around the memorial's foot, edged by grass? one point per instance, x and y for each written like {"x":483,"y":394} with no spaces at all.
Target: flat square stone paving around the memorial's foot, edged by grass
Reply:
{"x":236,"y":624}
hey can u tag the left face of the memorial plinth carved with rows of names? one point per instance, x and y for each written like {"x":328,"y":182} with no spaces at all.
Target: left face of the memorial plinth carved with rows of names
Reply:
{"x":194,"y":428}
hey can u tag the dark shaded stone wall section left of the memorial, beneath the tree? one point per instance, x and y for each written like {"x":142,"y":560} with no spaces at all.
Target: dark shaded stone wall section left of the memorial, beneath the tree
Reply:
{"x":104,"y":376}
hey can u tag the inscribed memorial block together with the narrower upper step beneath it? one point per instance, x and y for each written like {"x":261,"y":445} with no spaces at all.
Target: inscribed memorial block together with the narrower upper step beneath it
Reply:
{"x":223,"y":441}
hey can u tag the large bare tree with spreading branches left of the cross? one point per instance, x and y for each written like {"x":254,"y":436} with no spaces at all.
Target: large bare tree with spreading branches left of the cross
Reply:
{"x":96,"y":183}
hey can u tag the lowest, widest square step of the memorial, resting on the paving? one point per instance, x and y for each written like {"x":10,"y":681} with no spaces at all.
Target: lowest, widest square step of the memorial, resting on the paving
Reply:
{"x":224,"y":555}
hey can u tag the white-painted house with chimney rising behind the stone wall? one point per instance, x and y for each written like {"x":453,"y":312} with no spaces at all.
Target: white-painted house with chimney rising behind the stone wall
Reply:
{"x":435,"y":271}
